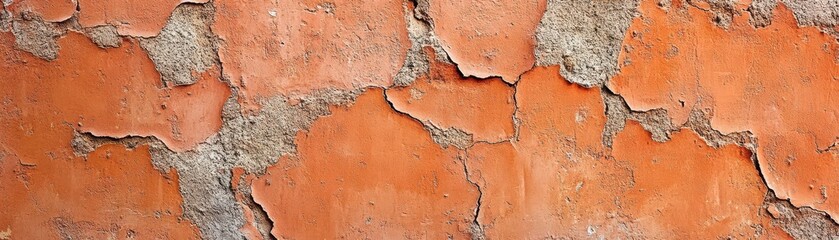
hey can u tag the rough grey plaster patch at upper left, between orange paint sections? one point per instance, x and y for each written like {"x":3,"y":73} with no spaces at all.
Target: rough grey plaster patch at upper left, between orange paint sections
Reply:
{"x":185,"y":45}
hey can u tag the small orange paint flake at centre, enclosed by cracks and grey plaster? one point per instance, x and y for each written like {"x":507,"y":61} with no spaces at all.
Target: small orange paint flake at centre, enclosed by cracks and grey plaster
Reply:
{"x":482,"y":107}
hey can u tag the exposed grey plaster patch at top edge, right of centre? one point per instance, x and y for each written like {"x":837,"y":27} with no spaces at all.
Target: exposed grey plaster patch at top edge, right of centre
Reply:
{"x":584,"y":38}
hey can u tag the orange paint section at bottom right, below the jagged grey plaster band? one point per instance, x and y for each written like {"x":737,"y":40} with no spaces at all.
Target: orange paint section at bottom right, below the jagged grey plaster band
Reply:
{"x":684,"y":188}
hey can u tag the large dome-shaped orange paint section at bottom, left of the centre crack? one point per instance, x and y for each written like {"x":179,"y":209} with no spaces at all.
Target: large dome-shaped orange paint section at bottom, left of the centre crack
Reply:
{"x":355,"y":178}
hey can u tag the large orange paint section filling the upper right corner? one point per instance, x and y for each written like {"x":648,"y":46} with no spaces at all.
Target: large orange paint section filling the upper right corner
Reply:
{"x":777,"y":82}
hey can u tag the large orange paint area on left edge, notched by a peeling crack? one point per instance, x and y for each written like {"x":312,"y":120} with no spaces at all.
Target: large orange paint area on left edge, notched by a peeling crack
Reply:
{"x":114,"y":192}
